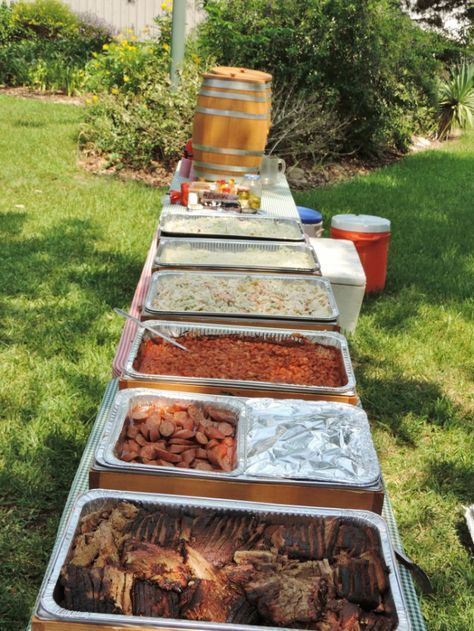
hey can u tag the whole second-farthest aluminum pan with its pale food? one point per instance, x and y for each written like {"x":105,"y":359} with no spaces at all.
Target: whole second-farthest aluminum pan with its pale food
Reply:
{"x":247,"y":248}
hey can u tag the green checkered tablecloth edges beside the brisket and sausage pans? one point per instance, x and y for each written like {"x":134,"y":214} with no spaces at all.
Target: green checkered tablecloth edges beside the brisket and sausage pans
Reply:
{"x":81,"y":484}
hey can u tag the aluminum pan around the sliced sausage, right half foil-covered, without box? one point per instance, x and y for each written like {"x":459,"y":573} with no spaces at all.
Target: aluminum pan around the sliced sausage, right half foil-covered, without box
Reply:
{"x":314,"y":442}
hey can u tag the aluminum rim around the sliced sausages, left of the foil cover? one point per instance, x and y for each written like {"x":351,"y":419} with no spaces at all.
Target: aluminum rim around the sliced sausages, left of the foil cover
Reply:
{"x":105,"y":452}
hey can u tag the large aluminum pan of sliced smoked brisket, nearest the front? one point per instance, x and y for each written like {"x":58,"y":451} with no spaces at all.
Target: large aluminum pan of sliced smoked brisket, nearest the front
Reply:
{"x":328,"y":542}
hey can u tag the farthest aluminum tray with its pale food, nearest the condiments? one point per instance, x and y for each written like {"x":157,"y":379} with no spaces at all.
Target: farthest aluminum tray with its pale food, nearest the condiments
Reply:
{"x":225,"y":229}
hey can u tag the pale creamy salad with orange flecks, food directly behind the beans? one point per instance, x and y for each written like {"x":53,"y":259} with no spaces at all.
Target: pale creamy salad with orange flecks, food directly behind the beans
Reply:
{"x":241,"y":295}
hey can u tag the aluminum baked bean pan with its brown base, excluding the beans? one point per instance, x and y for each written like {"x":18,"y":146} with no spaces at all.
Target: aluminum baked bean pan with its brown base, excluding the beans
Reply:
{"x":131,"y":377}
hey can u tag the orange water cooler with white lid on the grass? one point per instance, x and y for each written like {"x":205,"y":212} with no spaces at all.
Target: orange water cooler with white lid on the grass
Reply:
{"x":371,"y":237}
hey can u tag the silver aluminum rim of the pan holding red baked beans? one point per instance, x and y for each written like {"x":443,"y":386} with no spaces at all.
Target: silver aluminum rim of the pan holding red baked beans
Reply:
{"x":175,"y":329}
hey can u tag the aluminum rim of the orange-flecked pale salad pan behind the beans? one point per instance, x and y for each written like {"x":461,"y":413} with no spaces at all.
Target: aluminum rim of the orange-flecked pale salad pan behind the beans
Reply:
{"x":318,"y":281}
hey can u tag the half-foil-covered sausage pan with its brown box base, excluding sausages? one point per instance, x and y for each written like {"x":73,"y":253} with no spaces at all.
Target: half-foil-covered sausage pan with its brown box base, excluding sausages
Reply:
{"x":287,"y":451}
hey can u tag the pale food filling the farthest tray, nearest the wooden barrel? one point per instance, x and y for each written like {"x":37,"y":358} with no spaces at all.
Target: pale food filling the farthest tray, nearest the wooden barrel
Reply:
{"x":232,"y":226}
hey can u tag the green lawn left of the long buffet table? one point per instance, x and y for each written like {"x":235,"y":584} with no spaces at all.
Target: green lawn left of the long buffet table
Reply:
{"x":72,"y":247}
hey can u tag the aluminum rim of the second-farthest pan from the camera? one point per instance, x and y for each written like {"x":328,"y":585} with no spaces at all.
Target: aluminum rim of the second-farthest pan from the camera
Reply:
{"x":235,"y":245}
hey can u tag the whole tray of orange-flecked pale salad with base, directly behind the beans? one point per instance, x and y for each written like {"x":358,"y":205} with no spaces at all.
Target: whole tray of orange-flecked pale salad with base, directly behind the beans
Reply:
{"x":324,"y":316}
